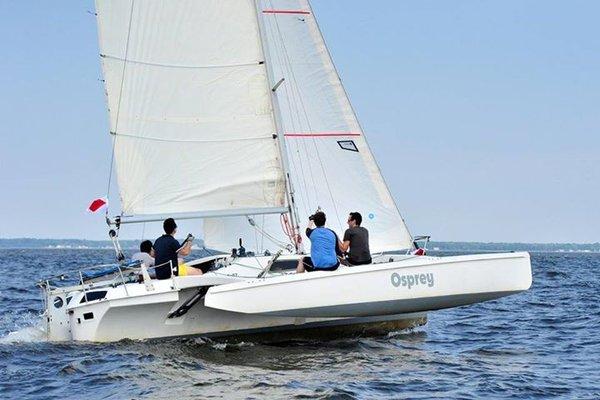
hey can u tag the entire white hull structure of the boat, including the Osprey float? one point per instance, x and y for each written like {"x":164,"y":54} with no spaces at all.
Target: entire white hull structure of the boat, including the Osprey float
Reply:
{"x":356,"y":298}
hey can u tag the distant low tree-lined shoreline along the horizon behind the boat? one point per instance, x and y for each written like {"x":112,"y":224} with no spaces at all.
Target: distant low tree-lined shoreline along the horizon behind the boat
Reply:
{"x":74,"y":244}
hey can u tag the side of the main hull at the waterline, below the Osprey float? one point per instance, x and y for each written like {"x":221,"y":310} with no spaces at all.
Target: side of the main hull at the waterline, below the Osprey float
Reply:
{"x":116,"y":320}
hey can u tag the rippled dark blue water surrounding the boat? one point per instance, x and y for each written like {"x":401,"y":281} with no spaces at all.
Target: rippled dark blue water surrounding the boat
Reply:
{"x":544,"y":343}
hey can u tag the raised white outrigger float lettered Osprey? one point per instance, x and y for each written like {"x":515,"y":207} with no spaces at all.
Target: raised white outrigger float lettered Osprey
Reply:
{"x":405,"y":286}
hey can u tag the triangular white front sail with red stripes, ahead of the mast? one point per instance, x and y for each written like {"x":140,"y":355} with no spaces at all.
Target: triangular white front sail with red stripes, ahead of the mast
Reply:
{"x":331,"y":164}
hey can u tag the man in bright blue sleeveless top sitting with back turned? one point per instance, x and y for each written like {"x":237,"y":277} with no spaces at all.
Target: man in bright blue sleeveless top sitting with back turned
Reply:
{"x":323,"y":247}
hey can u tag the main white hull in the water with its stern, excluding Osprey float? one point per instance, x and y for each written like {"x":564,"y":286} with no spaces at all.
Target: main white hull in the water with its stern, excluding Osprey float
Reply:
{"x":142,"y":315}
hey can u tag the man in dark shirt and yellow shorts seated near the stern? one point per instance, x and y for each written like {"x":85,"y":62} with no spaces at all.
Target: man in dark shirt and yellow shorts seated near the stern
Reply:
{"x":167,"y":248}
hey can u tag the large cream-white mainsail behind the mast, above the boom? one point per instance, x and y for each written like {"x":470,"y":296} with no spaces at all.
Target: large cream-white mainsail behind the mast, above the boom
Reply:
{"x":189,"y":106}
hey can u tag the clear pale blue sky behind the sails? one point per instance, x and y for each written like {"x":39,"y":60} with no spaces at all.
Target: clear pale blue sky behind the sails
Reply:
{"x":484,"y":116}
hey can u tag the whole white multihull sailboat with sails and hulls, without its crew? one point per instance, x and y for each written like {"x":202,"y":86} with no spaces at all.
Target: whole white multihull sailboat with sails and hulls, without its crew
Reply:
{"x":232,"y":112}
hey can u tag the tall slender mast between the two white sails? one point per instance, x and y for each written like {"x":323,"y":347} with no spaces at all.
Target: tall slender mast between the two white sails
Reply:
{"x":273,"y":86}
